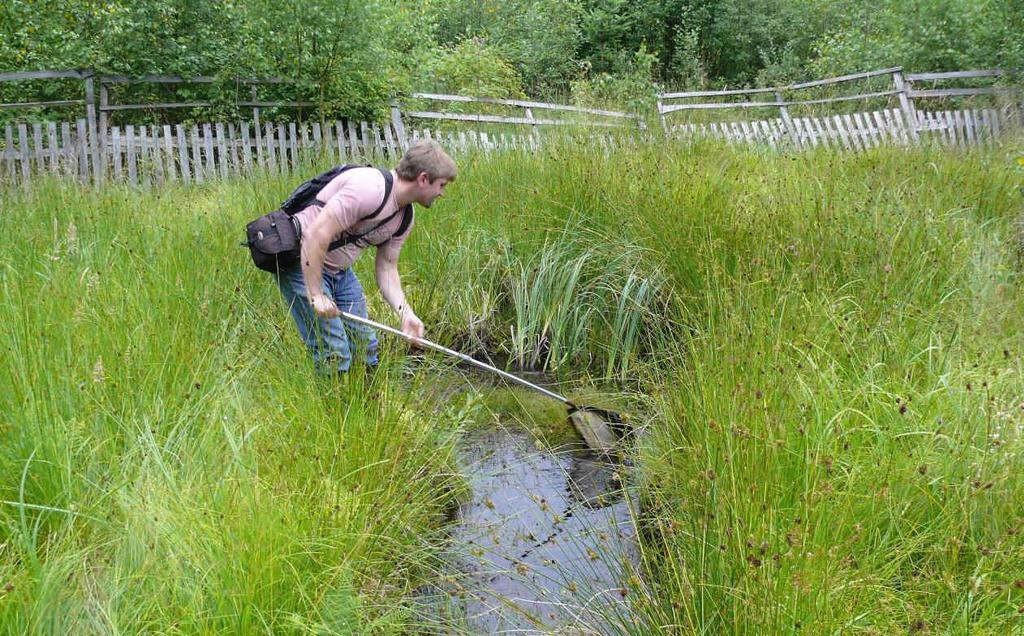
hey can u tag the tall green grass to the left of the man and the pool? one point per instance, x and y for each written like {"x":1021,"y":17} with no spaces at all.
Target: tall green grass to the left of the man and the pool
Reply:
{"x":169,"y":462}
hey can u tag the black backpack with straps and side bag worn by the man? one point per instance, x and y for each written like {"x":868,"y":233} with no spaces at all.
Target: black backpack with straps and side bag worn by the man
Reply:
{"x":275,"y":240}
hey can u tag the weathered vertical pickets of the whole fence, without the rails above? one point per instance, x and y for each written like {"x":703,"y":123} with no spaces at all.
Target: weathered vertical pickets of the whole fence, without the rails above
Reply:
{"x":156,"y":155}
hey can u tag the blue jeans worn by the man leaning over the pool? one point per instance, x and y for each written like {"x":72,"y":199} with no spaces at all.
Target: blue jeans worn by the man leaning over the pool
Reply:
{"x":330,"y":341}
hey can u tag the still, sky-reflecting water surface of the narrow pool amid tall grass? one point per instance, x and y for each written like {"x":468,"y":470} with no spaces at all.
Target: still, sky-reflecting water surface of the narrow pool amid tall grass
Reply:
{"x":546,"y":545}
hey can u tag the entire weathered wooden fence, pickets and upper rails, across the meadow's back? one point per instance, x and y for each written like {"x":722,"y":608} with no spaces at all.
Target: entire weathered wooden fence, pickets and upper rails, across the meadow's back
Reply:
{"x":94,"y":152}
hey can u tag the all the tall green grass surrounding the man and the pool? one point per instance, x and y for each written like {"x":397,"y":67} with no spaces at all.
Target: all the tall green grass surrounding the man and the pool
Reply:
{"x":826,"y":353}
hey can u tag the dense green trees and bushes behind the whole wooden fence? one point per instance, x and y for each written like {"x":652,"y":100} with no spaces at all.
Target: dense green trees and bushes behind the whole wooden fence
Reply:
{"x":351,"y":59}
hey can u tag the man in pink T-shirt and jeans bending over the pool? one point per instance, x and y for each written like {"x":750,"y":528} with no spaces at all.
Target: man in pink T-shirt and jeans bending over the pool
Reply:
{"x":324,"y":283}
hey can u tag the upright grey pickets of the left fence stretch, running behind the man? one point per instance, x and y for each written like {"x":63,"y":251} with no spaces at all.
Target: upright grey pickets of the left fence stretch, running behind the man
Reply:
{"x":156,"y":155}
